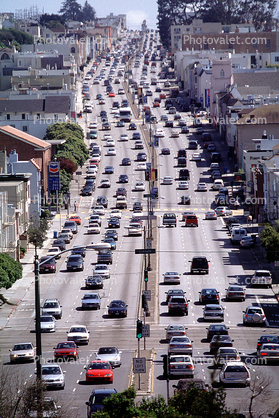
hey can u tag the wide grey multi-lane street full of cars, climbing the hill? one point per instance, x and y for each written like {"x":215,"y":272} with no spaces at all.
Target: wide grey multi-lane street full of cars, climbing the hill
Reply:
{"x":175,"y":248}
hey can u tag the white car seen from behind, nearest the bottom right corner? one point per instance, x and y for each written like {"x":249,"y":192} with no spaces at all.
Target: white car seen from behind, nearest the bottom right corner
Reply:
{"x":235,"y":373}
